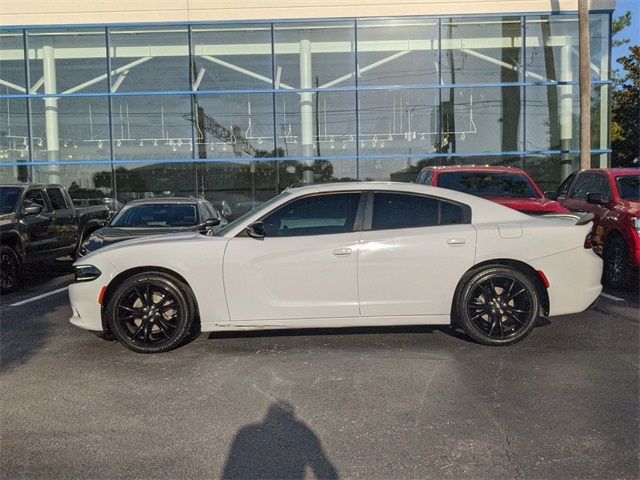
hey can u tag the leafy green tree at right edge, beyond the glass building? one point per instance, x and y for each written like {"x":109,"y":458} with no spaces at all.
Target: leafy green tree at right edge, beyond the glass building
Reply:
{"x":625,"y":110}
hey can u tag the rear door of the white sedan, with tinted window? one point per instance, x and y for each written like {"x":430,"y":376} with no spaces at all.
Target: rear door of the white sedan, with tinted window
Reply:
{"x":413,"y":251}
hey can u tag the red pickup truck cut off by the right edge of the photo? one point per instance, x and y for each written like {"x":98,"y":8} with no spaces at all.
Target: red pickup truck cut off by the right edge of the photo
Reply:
{"x":613,"y":196}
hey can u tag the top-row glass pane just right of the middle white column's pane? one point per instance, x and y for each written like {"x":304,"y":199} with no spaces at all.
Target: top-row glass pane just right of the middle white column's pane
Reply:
{"x":398,"y":52}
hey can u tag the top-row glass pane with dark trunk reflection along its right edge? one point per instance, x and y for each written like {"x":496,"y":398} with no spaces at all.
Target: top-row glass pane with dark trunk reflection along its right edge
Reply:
{"x":481,"y":50}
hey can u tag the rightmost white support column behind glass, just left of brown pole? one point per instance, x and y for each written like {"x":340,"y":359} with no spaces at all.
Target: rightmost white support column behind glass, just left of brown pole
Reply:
{"x":567,"y":162}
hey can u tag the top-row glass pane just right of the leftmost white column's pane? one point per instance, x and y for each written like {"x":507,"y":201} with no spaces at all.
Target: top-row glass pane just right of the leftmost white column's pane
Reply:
{"x":145,"y":59}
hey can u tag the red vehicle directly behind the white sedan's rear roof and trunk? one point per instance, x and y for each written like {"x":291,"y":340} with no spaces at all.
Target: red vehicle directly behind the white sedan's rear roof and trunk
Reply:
{"x":507,"y":186}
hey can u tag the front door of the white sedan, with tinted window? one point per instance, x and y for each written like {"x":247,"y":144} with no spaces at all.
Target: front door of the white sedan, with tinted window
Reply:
{"x":304,"y":267}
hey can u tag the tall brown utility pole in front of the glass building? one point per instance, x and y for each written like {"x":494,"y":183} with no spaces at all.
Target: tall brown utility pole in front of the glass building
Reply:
{"x":585,"y":84}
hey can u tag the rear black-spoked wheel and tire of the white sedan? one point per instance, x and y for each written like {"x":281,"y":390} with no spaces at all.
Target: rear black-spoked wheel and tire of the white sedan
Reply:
{"x":497,"y":305}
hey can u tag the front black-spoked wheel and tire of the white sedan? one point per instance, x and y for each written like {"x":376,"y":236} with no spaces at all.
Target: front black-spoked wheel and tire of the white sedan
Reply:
{"x":151,"y":312}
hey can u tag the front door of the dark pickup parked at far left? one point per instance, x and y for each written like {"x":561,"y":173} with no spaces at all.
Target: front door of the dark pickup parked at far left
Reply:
{"x":39,"y":228}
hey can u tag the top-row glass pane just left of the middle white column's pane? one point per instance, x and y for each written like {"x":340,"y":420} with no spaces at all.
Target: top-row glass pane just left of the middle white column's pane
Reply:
{"x":232,"y":57}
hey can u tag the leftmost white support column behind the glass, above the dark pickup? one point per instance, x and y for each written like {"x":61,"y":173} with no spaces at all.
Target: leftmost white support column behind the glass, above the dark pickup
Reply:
{"x":51,"y":113}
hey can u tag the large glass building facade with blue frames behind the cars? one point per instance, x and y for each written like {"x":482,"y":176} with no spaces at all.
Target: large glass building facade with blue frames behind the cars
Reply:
{"x":238,"y":112}
